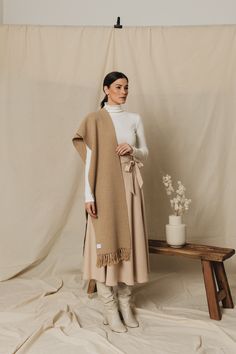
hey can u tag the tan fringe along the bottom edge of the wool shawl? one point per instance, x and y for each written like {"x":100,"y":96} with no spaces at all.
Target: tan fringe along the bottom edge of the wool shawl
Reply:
{"x":122,"y":254}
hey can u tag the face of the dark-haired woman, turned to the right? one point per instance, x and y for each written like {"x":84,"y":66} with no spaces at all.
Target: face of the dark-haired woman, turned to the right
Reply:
{"x":117,"y":92}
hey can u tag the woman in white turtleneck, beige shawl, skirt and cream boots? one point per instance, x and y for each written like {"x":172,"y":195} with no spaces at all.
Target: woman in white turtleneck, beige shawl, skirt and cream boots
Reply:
{"x":112,"y":144}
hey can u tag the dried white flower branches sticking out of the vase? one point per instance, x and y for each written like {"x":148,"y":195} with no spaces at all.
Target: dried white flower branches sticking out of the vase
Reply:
{"x":179,"y":203}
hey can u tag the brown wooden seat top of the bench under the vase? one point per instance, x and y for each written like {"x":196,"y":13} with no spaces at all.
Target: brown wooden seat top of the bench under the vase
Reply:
{"x":204,"y":252}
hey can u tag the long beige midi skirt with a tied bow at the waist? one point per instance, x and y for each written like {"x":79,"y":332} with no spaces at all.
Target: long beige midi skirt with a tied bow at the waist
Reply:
{"x":136,"y":269}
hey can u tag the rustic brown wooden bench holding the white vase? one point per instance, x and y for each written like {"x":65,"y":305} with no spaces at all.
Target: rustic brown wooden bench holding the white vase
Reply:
{"x":215,"y":279}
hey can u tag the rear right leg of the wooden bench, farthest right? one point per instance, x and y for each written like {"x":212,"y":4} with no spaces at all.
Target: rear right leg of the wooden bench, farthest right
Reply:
{"x":223,"y":284}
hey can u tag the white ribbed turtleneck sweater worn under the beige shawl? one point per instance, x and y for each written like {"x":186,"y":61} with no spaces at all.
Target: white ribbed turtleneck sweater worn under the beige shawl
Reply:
{"x":129,"y":129}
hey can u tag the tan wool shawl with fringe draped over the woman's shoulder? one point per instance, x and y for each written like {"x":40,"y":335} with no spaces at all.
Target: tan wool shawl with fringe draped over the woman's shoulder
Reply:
{"x":107,"y":185}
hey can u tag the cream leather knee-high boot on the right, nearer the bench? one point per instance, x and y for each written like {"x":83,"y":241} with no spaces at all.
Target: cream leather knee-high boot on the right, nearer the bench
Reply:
{"x":124,"y":294}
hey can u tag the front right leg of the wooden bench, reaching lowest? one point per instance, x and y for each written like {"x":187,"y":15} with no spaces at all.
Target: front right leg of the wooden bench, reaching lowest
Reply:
{"x":211,"y":291}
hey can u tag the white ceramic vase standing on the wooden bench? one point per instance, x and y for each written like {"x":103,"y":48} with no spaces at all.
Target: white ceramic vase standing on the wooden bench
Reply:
{"x":175,"y":231}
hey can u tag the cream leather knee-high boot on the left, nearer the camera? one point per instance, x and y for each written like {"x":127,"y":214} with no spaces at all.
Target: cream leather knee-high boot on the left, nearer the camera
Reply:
{"x":111,"y":313}
